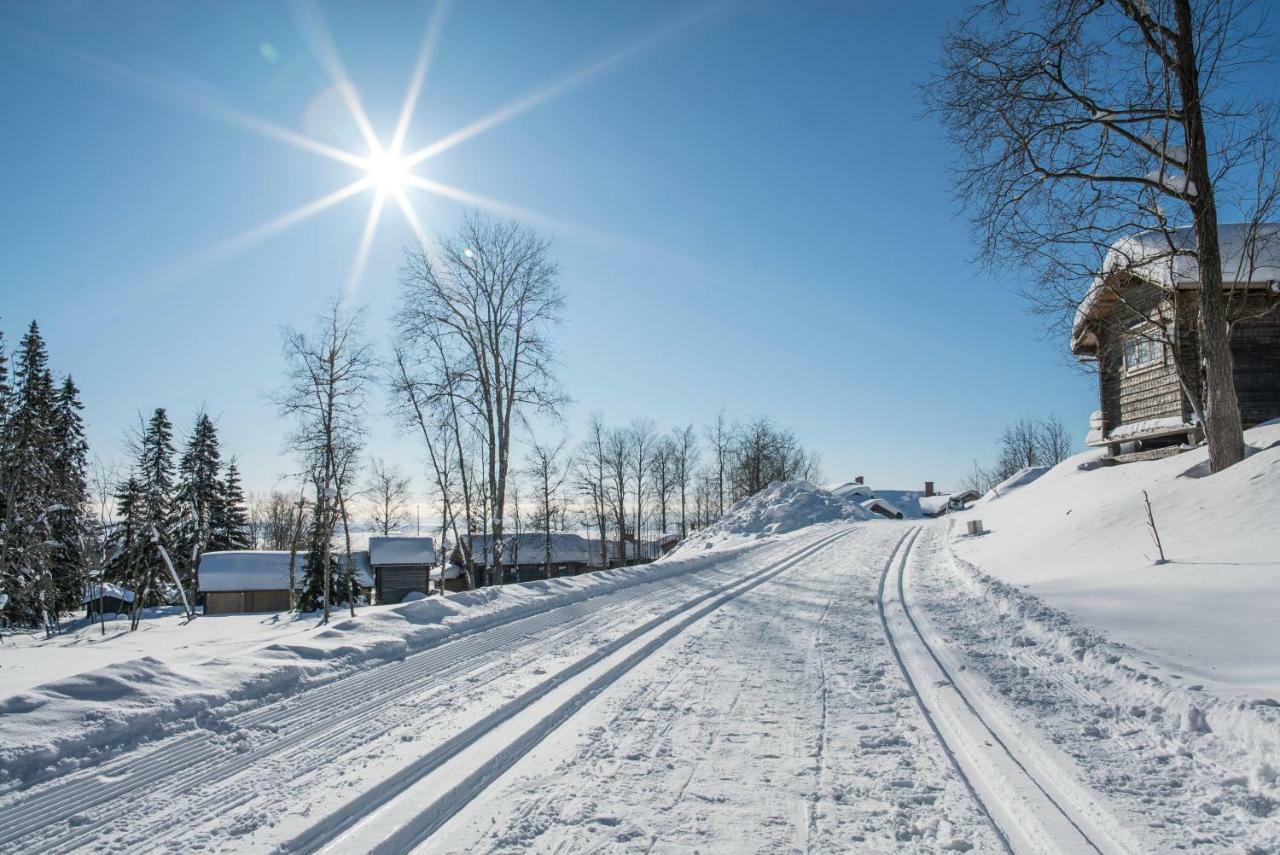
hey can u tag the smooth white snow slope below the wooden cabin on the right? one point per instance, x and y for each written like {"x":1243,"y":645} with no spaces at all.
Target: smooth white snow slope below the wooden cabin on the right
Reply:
{"x":1078,"y":539}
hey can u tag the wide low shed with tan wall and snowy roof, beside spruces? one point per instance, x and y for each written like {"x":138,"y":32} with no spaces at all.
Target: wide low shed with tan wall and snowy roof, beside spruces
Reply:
{"x":248,"y":580}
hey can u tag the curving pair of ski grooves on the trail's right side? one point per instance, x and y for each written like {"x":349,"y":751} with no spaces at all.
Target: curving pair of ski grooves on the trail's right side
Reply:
{"x":1032,"y":816}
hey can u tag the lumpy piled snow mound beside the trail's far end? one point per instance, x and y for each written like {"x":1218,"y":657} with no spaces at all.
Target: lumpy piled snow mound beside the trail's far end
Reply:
{"x":779,"y":509}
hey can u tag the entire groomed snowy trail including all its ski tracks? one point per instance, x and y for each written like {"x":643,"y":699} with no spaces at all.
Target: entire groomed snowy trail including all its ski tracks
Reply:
{"x":831,"y":689}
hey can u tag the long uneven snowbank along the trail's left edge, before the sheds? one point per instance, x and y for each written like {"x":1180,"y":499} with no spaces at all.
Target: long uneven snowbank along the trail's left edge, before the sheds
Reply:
{"x":164,"y":684}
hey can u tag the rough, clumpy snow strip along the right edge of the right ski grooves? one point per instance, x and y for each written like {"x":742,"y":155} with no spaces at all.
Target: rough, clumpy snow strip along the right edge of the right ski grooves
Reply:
{"x":1163,"y":783}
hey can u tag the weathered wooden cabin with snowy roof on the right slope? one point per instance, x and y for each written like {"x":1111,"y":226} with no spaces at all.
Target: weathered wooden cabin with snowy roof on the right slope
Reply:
{"x":1139,"y":323}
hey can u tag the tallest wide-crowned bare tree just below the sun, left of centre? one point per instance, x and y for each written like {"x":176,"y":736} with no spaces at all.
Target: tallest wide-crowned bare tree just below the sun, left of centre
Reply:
{"x":486,"y":303}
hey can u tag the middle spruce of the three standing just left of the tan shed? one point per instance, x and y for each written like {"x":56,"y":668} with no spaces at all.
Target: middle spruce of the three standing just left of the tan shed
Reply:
{"x":198,"y":499}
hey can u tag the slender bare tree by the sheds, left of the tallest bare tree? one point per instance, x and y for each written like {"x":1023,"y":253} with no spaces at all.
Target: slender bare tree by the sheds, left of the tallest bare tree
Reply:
{"x":330,"y":372}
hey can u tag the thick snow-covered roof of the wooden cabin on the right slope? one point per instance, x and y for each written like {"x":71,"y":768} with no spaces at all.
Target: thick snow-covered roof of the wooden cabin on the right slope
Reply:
{"x":1251,"y":255}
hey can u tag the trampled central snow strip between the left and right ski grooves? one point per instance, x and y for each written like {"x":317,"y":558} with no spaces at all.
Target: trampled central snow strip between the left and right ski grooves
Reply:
{"x":720,"y":739}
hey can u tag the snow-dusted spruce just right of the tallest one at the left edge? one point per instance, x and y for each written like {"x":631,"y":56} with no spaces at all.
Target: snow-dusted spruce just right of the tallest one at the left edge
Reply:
{"x":68,"y":520}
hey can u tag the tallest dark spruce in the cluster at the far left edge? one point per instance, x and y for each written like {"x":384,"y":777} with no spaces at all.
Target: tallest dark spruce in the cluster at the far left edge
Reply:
{"x":28,"y":442}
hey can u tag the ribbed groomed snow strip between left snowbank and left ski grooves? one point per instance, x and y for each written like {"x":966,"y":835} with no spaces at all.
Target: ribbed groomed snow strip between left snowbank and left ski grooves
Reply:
{"x":189,"y":792}
